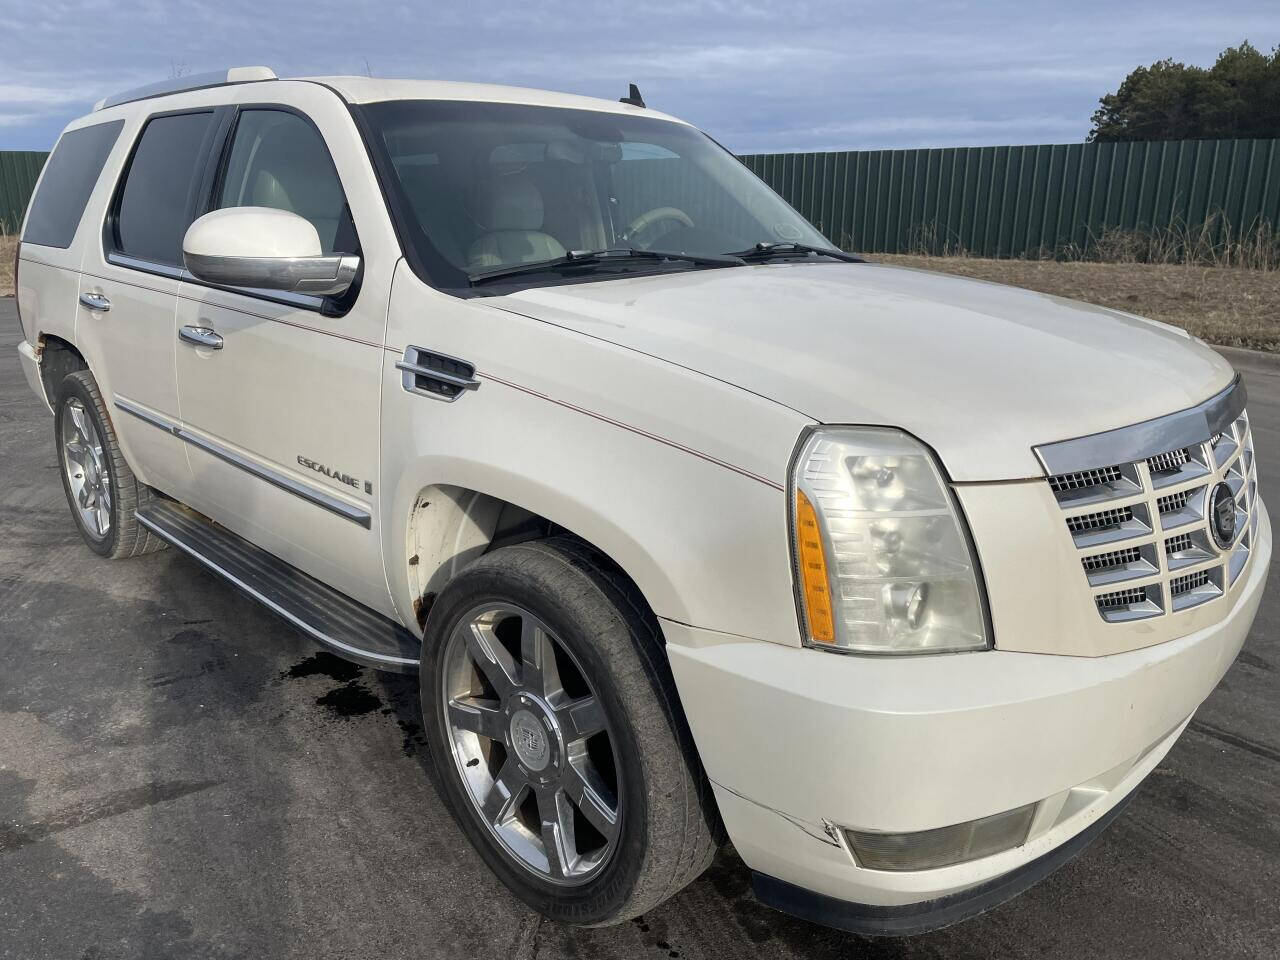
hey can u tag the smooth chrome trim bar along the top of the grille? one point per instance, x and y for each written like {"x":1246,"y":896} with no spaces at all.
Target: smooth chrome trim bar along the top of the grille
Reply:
{"x":1146,"y":440}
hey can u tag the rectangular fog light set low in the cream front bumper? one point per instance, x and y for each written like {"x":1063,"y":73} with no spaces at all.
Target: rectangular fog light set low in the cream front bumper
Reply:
{"x":930,"y":849}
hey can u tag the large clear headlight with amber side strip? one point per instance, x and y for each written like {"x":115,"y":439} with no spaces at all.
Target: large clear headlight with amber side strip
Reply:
{"x":884,"y":563}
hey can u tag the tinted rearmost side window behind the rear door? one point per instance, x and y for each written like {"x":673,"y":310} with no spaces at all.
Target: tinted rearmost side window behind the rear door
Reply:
{"x":70,"y":179}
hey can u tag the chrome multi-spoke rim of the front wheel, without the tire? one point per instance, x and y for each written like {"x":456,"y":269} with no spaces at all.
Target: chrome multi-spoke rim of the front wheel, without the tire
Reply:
{"x":532,"y":744}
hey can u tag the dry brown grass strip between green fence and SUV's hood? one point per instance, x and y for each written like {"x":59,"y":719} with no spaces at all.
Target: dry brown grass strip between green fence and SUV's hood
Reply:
{"x":1231,"y":307}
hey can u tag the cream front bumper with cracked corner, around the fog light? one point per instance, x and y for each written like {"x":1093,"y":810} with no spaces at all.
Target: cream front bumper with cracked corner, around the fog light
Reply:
{"x":801,"y":743}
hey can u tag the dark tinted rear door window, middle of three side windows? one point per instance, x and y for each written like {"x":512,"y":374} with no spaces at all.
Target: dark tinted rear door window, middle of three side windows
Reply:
{"x":158,"y":202}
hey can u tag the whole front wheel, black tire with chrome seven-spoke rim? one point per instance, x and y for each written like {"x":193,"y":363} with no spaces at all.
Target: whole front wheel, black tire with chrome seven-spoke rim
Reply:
{"x":668,"y":829}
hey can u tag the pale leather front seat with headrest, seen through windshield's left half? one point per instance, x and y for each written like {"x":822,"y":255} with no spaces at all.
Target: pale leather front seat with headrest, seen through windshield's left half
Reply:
{"x":510,"y":209}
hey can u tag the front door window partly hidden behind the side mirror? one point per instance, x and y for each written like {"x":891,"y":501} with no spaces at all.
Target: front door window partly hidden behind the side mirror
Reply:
{"x":280,"y":161}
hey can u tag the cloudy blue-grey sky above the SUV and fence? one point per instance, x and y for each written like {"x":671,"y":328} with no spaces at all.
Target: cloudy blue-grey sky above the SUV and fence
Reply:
{"x":790,"y":75}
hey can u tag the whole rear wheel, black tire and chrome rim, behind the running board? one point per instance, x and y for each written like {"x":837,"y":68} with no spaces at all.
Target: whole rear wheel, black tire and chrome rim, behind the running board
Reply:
{"x":109,"y":528}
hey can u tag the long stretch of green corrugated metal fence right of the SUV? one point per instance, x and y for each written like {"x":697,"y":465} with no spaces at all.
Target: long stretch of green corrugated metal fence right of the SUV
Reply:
{"x":1016,"y":202}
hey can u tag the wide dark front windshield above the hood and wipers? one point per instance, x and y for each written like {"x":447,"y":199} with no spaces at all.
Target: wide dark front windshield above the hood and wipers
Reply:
{"x":487,"y":186}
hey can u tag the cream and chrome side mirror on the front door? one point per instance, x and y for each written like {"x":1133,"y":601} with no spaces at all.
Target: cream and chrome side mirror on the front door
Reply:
{"x":267,"y":249}
